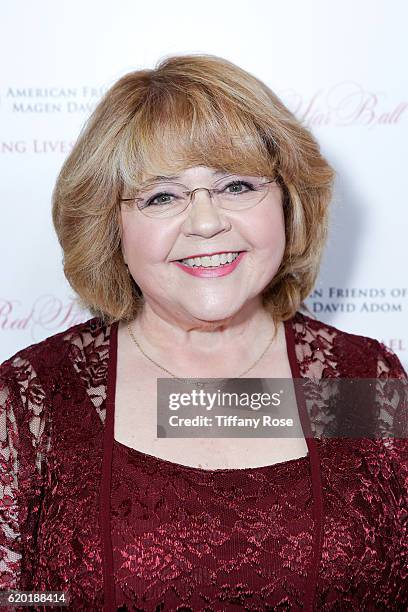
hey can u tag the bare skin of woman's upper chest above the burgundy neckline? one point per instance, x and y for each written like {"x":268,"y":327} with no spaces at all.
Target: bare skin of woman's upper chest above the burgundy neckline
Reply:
{"x":135,"y":424}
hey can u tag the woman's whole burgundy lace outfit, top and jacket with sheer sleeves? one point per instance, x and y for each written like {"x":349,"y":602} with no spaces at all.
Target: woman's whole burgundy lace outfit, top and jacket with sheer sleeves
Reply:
{"x":118,"y":529}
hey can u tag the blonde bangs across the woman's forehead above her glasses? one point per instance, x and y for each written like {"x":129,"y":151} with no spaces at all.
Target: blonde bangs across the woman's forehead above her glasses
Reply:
{"x":175,"y":130}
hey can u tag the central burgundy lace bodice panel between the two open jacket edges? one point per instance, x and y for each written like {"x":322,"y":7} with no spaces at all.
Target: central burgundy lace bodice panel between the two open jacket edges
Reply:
{"x":210,"y":540}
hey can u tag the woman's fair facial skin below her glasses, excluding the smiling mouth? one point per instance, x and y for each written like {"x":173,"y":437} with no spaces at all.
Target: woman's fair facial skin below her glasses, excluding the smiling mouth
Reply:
{"x":151,"y":247}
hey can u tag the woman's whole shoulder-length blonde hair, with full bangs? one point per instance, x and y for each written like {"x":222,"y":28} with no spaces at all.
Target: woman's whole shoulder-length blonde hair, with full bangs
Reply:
{"x":190,"y":110}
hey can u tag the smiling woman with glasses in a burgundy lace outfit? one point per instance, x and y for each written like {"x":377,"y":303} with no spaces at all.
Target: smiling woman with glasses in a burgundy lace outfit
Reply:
{"x":194,"y":158}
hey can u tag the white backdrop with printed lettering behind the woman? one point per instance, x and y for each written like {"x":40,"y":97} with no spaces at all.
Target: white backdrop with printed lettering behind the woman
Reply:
{"x":338,"y":65}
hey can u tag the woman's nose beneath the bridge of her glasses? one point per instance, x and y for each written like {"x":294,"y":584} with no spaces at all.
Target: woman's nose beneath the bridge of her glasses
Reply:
{"x":204,"y":218}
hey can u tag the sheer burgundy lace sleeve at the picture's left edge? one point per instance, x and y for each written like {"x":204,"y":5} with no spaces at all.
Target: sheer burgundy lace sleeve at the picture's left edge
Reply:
{"x":22,"y":454}
